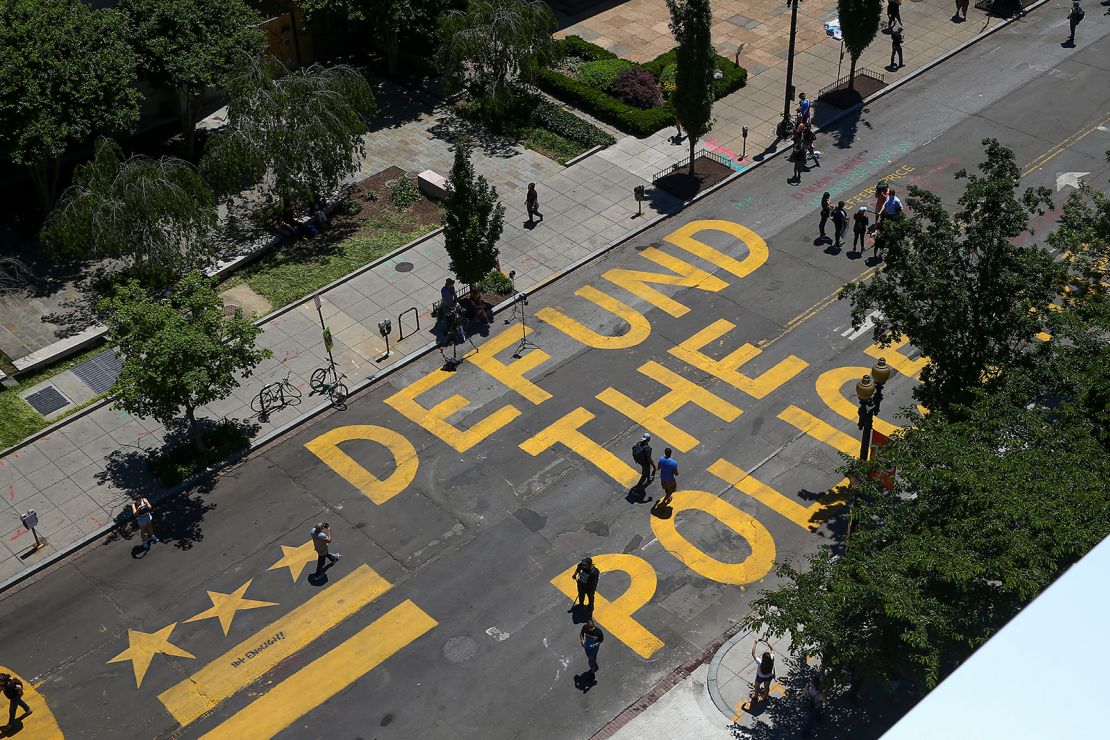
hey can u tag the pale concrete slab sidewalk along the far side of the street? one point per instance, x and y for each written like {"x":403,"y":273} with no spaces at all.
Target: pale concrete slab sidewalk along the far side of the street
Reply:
{"x":79,"y":475}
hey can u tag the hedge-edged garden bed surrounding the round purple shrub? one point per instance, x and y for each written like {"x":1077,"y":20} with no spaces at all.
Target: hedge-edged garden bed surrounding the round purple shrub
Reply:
{"x":582,"y":79}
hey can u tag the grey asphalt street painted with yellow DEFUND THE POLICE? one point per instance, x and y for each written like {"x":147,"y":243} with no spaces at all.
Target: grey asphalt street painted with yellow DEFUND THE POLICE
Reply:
{"x":461,"y":501}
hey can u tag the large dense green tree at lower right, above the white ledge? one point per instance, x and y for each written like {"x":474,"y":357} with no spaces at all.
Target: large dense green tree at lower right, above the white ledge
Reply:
{"x":973,"y":531}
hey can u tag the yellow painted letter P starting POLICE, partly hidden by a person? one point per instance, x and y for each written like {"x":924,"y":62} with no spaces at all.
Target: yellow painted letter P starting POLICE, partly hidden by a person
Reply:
{"x":617,"y":616}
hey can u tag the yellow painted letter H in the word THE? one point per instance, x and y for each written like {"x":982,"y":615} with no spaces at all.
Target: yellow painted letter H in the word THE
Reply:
{"x":654,"y":417}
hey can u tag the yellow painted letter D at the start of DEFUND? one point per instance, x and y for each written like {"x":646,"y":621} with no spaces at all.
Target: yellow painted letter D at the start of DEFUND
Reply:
{"x":327,"y":448}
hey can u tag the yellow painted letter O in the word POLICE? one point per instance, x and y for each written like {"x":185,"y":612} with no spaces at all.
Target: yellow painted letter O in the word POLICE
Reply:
{"x":754,"y":567}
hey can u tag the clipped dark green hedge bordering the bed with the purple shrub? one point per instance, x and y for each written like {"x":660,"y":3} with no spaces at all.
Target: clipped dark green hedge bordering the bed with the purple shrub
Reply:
{"x":607,"y":108}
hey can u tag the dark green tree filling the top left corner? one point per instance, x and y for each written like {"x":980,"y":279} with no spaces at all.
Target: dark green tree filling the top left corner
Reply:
{"x":66,"y":74}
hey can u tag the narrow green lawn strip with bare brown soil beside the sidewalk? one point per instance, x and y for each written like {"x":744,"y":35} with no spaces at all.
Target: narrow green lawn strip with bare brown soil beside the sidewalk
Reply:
{"x":289,"y":275}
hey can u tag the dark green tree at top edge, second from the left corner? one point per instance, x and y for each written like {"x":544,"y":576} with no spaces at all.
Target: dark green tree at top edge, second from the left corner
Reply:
{"x":189,"y":46}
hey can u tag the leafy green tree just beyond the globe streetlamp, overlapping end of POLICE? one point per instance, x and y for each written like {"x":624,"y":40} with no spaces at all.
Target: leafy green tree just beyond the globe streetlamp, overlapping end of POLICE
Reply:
{"x":958,"y":287}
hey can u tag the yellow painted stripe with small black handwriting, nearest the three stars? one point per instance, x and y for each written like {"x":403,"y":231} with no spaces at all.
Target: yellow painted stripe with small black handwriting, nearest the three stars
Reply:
{"x":256,"y":656}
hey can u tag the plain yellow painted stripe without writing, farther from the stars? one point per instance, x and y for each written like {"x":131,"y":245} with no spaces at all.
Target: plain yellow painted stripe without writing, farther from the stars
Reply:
{"x":329,"y":675}
